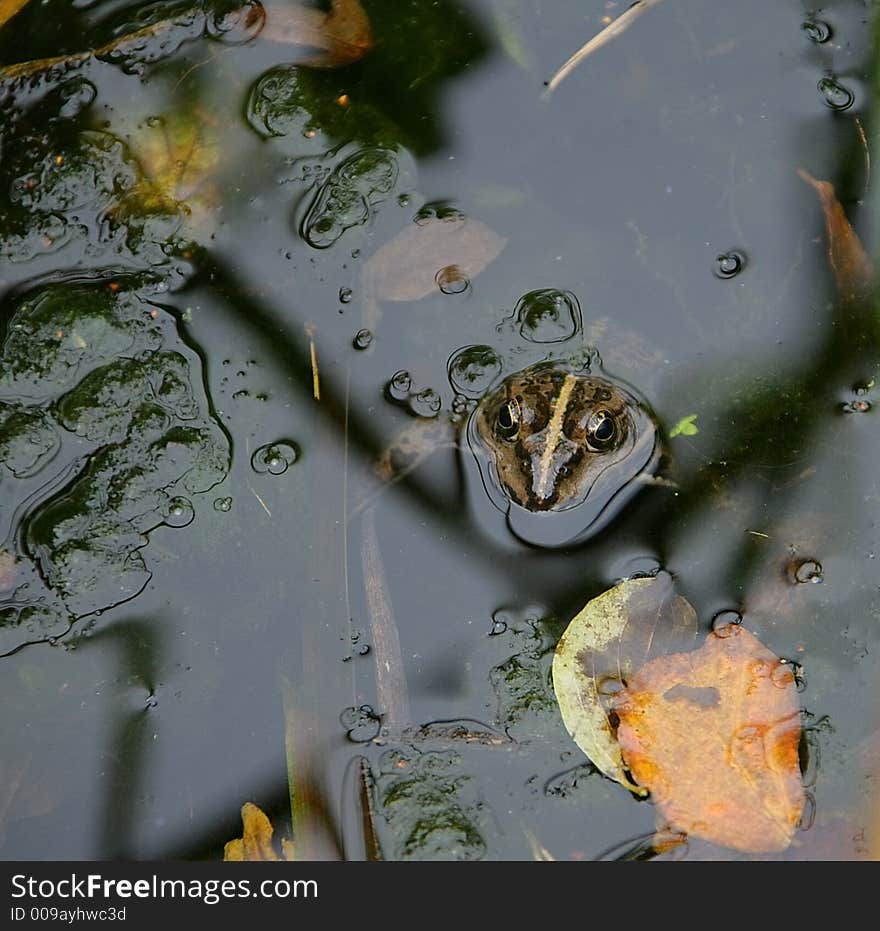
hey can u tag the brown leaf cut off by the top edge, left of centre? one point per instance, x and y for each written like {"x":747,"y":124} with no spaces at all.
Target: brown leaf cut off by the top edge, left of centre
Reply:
{"x":339,"y":37}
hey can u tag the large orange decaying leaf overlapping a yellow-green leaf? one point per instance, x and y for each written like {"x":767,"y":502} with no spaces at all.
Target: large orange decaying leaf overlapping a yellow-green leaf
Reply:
{"x":713,"y":735}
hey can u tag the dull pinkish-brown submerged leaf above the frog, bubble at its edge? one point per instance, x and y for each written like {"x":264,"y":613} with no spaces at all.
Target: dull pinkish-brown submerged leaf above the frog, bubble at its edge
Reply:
{"x":407,"y":267}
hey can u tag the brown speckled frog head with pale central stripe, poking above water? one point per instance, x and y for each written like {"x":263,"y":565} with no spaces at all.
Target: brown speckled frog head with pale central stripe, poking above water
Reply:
{"x":560,"y":448}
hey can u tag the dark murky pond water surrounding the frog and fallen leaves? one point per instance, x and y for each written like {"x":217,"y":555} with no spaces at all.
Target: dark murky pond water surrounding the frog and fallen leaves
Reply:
{"x":207,"y":581}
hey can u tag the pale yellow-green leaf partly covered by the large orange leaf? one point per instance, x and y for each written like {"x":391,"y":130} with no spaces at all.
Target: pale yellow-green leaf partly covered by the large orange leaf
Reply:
{"x":613,"y":635}
